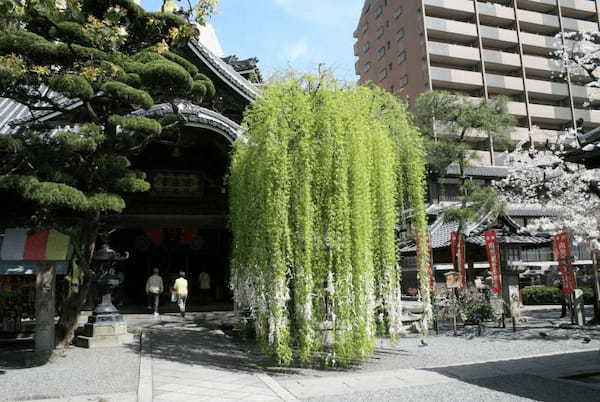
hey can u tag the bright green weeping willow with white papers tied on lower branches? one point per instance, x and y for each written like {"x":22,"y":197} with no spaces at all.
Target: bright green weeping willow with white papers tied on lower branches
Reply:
{"x":316,"y":185}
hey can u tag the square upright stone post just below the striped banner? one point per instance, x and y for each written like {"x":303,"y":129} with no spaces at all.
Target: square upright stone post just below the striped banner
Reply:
{"x":45,"y":290}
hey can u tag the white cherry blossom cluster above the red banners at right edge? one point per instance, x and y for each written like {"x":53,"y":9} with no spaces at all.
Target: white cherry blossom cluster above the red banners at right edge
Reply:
{"x":543,"y":178}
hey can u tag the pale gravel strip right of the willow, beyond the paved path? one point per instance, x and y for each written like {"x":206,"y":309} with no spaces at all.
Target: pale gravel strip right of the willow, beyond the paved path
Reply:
{"x":495,"y":344}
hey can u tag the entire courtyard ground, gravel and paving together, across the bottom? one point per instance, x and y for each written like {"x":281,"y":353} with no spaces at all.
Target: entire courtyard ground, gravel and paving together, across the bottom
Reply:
{"x":194,"y":360}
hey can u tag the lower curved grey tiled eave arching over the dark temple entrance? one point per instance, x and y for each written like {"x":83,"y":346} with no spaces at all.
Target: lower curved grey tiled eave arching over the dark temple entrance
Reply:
{"x":197,"y":115}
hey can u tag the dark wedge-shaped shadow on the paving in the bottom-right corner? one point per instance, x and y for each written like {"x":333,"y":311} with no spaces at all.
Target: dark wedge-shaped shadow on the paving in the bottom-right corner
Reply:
{"x":537,"y":378}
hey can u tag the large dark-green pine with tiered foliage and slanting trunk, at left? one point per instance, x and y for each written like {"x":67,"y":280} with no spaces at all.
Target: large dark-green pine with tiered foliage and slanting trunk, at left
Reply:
{"x":89,"y":64}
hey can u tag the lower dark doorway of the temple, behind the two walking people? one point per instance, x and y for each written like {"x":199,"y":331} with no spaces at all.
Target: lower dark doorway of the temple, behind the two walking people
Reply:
{"x":171,"y":250}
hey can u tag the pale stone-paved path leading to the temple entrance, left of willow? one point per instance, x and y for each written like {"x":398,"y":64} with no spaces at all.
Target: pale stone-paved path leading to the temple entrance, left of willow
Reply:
{"x":183,"y":361}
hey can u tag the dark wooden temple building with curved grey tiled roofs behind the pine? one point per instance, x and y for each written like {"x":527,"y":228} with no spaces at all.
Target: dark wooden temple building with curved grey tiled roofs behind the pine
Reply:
{"x":181,"y":223}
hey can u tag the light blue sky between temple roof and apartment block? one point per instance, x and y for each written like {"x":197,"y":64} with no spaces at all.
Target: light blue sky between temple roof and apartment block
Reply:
{"x":285,"y":34}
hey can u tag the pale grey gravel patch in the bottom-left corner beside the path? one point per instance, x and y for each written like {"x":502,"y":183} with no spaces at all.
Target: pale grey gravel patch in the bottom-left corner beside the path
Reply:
{"x":78,"y":372}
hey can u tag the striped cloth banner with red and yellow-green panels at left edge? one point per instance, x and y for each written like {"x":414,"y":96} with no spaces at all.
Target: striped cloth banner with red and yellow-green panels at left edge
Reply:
{"x":20,"y":245}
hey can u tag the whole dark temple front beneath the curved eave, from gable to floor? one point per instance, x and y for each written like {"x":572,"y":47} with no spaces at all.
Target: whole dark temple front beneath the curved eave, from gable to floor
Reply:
{"x":180,"y":224}
